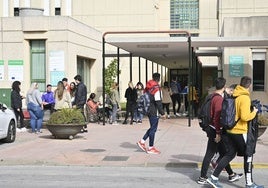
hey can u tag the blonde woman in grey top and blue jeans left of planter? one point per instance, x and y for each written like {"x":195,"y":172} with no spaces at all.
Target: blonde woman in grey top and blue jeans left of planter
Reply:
{"x":35,"y":107}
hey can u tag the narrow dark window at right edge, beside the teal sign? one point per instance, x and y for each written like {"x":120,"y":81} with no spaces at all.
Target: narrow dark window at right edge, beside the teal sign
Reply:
{"x":258,"y":65}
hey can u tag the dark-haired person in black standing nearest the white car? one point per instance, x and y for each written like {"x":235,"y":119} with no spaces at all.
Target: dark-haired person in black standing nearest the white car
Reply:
{"x":16,"y":104}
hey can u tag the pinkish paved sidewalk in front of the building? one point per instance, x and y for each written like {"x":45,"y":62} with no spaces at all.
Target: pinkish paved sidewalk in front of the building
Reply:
{"x":110,"y":145}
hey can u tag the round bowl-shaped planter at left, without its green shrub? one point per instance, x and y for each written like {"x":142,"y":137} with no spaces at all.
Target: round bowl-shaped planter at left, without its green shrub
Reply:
{"x":65,"y":131}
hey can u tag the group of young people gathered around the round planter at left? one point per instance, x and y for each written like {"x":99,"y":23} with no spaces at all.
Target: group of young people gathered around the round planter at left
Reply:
{"x":64,"y":96}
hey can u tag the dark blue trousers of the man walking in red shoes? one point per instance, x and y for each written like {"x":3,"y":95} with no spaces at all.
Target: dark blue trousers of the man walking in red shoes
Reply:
{"x":151,"y":131}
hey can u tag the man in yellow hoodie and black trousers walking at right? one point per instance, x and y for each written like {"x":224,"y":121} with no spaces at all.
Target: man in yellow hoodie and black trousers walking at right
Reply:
{"x":237,"y":137}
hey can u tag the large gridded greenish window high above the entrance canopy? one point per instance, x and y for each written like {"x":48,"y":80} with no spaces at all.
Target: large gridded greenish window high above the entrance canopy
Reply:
{"x":184,"y":14}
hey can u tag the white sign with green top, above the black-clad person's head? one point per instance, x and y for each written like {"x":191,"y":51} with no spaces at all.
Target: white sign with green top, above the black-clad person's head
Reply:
{"x":15,"y":70}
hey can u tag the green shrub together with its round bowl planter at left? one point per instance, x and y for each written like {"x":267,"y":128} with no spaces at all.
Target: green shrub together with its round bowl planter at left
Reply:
{"x":66,"y":123}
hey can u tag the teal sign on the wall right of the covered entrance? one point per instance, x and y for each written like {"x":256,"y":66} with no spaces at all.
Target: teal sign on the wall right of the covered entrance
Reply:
{"x":236,"y":66}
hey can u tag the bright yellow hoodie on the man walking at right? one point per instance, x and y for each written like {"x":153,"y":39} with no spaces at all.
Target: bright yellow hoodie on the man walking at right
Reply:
{"x":242,"y":105}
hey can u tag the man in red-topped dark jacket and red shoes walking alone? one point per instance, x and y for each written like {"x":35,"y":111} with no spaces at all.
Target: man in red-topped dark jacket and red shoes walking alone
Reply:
{"x":153,"y":87}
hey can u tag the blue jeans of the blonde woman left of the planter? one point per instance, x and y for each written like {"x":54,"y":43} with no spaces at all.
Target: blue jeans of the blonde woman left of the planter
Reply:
{"x":36,"y":116}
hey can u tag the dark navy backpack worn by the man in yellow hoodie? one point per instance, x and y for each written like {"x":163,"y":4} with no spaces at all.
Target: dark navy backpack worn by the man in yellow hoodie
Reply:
{"x":228,"y":111}
